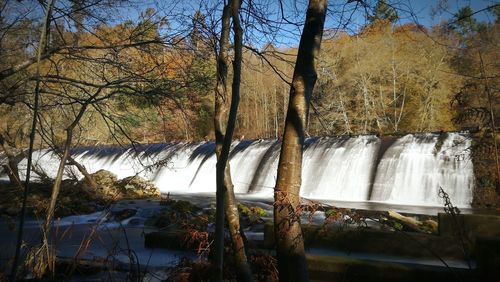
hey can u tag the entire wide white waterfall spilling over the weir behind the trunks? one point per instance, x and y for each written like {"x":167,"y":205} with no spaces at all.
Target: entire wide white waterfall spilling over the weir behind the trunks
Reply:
{"x":409,"y":171}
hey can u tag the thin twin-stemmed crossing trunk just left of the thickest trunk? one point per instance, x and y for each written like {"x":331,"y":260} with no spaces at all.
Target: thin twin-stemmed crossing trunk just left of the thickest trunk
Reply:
{"x":224,"y":122}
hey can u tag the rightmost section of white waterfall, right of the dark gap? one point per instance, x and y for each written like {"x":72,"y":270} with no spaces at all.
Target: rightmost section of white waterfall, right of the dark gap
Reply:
{"x":413,"y":169}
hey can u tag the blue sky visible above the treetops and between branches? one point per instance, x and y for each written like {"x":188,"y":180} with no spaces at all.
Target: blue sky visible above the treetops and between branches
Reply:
{"x":346,"y":15}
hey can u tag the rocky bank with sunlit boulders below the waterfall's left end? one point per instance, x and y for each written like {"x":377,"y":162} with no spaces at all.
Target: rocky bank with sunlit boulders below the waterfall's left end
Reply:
{"x":76,"y":196}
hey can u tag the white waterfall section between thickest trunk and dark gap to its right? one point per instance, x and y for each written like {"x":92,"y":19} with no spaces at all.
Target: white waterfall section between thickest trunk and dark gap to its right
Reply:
{"x":339,"y":168}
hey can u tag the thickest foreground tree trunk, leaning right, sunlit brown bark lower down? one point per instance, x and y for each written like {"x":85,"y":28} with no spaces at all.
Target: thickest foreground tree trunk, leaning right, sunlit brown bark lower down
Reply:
{"x":292,"y":264}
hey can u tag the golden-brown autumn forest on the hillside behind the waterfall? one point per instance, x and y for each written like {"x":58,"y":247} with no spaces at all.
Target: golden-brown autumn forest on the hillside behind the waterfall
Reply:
{"x":155,"y":82}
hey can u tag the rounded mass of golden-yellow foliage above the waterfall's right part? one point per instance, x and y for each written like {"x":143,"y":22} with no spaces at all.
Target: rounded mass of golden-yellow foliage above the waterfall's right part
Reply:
{"x":390,"y":79}
